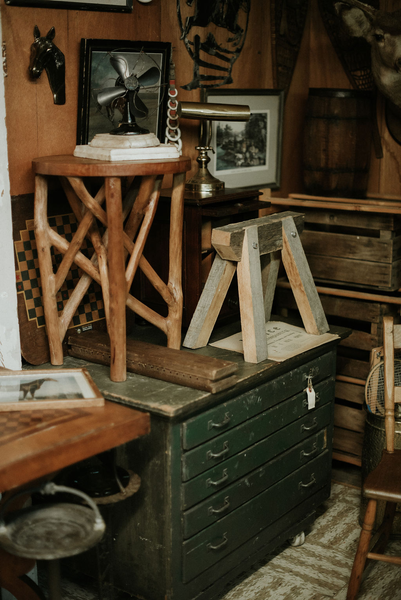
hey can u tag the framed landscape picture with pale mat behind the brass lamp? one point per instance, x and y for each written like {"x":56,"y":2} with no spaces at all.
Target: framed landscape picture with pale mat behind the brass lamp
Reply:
{"x":248,"y":154}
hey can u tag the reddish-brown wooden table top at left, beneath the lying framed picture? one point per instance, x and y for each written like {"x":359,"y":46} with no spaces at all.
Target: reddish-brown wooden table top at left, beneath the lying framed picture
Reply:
{"x":36,"y":443}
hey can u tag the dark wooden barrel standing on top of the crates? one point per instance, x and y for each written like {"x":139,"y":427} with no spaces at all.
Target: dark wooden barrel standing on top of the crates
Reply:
{"x":337,"y":142}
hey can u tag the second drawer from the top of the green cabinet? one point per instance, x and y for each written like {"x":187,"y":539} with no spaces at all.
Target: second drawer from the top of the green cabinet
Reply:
{"x":231,"y":442}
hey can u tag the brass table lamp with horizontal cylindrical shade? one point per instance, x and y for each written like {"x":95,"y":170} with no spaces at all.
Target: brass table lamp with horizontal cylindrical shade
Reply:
{"x":203,"y":181}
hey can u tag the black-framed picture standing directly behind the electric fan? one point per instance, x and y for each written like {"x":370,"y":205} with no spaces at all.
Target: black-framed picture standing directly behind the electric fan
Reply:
{"x":96,"y":72}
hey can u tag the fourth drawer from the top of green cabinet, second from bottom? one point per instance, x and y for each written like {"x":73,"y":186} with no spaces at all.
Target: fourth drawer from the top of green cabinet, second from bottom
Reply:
{"x":222,"y":503}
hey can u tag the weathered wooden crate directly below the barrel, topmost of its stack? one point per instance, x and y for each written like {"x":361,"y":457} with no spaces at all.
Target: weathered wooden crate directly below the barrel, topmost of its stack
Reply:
{"x":353,"y":248}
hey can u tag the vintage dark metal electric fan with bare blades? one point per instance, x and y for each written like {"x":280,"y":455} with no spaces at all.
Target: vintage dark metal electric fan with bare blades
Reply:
{"x":128,"y":85}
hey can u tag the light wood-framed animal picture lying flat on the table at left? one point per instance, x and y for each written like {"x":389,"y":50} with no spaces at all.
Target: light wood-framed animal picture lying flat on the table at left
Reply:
{"x":48,"y":388}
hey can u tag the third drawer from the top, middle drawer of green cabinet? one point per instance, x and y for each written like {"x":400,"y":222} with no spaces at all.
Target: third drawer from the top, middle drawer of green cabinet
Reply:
{"x":221,"y":476}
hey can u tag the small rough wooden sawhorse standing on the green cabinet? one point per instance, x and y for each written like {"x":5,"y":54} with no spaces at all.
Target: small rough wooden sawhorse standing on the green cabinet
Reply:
{"x":253,"y":248}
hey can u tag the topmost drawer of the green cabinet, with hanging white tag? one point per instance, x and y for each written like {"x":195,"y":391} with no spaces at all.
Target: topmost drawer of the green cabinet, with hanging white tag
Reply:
{"x":226,"y":416}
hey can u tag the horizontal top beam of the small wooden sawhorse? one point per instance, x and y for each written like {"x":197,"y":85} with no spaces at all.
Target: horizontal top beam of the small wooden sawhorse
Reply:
{"x":228,"y":240}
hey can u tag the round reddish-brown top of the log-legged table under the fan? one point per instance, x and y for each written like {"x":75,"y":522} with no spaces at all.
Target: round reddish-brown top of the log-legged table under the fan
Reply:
{"x":71,"y":166}
